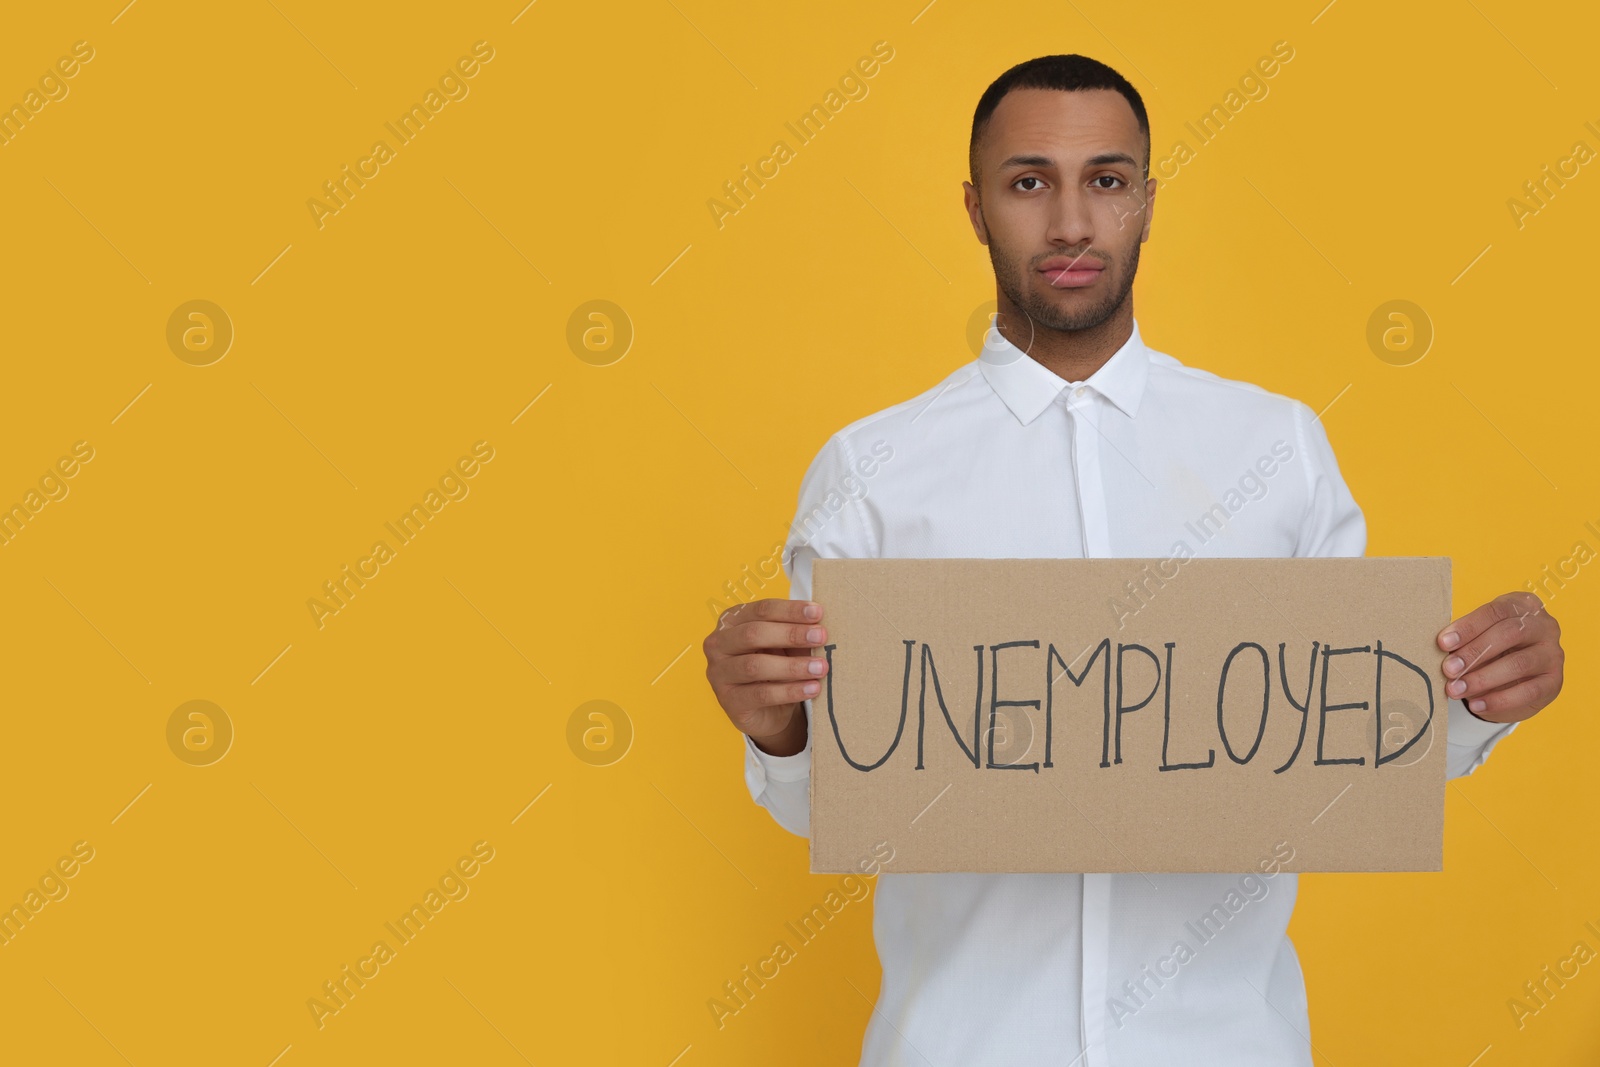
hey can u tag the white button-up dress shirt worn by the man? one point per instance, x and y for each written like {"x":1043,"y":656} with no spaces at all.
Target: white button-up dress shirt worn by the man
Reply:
{"x":1006,"y":460}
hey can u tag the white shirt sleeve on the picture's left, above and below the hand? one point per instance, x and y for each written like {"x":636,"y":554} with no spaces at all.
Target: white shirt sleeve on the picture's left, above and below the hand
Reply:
{"x":831,"y":521}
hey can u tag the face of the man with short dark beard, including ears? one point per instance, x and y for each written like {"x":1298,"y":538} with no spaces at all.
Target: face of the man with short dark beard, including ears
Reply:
{"x":1062,"y":183}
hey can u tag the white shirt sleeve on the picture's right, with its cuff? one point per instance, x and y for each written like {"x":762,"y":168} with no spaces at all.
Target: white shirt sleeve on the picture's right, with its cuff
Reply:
{"x":1335,"y":527}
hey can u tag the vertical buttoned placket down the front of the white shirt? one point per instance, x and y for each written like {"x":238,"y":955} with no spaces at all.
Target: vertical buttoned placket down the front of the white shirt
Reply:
{"x":1086,"y":409}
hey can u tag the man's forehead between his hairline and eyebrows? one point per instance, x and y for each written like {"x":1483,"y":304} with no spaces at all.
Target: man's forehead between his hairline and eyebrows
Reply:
{"x":1068,"y":127}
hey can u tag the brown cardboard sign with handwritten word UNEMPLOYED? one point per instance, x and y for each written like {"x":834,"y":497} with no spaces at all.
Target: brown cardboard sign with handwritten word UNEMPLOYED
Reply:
{"x":1130,"y":716}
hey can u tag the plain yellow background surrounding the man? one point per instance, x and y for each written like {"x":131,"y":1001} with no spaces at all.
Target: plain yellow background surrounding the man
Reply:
{"x":428,"y":314}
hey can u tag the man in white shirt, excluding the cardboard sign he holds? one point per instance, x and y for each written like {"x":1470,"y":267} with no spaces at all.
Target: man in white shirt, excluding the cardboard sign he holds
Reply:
{"x":1070,"y":438}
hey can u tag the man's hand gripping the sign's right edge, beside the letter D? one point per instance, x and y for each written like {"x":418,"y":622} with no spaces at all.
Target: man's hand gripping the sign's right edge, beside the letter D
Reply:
{"x":1505,"y":660}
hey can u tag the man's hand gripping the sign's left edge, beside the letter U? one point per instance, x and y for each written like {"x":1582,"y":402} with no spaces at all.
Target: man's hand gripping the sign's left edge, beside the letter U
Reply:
{"x":761,"y":668}
